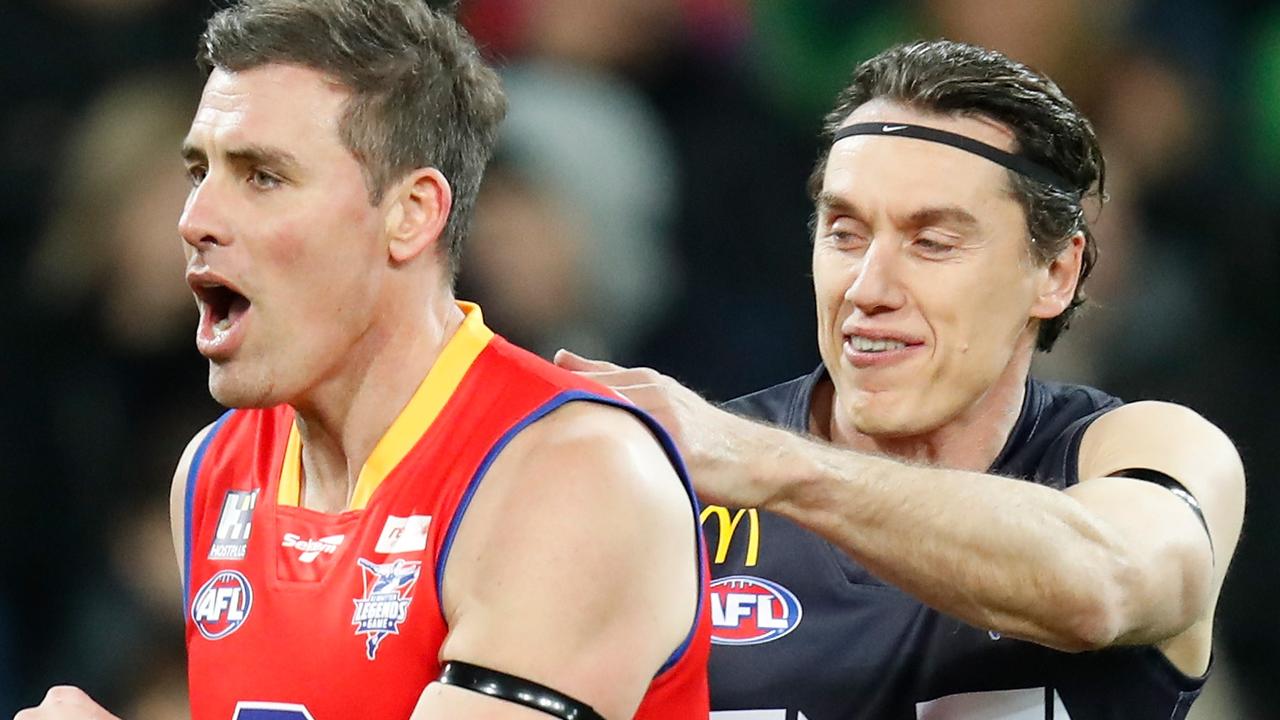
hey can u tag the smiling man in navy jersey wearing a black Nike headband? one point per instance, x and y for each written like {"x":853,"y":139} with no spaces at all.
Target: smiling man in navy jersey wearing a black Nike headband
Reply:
{"x":918,"y":530}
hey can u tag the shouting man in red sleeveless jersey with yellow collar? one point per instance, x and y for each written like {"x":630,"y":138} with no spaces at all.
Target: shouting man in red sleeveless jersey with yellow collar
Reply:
{"x":406,"y":517}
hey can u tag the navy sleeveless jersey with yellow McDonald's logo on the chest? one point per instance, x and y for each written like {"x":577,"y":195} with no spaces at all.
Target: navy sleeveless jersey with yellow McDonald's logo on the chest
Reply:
{"x":803,"y":632}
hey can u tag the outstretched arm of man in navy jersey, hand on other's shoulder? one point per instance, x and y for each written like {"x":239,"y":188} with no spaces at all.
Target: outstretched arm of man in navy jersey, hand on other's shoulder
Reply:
{"x":1110,"y":562}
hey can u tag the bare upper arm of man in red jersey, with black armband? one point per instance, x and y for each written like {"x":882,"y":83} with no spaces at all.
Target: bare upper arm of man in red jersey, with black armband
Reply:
{"x":574,"y":568}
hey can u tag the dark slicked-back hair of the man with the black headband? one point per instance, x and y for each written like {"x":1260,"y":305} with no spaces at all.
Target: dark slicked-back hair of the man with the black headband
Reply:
{"x":954,"y":79}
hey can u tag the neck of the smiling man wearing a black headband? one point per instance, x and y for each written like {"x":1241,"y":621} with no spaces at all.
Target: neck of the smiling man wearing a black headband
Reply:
{"x":971,"y":441}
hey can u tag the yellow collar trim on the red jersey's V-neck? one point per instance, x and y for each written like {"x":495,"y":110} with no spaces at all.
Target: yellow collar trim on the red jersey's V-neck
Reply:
{"x":410,"y":426}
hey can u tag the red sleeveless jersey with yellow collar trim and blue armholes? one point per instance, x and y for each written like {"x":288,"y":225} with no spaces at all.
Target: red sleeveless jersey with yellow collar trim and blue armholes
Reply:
{"x":298,"y":614}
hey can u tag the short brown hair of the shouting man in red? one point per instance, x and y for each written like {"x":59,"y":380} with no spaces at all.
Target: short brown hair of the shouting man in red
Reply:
{"x":420,"y":93}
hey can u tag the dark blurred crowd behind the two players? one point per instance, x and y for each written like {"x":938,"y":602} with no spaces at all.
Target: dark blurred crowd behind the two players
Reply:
{"x":647,"y":204}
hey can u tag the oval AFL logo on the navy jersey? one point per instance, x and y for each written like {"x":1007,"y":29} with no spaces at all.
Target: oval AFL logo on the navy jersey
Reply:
{"x":748,"y":610}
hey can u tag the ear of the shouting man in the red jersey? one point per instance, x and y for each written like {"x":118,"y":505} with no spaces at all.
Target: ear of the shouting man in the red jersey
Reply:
{"x":417,"y":213}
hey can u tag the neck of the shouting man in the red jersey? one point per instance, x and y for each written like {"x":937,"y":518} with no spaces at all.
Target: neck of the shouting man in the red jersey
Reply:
{"x":345,"y":417}
